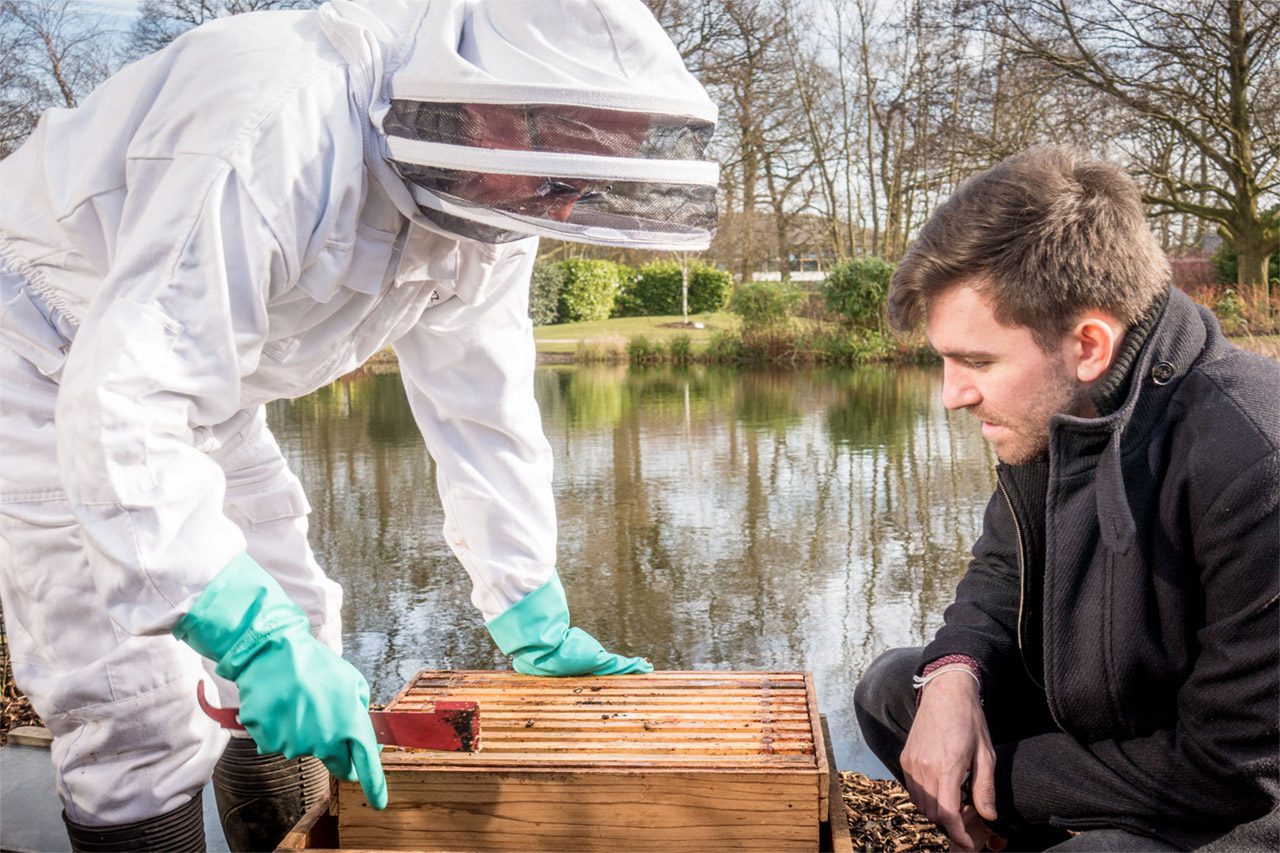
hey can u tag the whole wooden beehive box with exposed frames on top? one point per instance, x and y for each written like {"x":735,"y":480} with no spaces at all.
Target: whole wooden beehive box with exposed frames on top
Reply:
{"x":669,"y":761}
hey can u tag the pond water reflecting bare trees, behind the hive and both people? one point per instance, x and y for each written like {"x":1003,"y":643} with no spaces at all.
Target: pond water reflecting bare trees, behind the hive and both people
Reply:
{"x":708,"y":519}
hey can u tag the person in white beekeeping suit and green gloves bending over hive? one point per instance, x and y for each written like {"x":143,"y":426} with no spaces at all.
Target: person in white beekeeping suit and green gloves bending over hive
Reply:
{"x":248,"y":216}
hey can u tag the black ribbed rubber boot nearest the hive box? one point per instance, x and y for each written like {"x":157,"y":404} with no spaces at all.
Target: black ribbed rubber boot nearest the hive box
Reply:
{"x":260,"y":799}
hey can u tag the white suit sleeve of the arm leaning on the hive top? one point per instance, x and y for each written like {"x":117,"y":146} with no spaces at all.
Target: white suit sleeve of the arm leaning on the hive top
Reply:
{"x":469,"y":372}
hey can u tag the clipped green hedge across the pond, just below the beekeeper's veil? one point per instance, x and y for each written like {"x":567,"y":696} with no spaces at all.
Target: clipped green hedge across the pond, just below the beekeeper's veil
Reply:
{"x":580,"y":290}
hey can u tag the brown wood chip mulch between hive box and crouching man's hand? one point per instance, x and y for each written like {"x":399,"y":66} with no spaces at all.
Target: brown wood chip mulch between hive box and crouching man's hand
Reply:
{"x":884,"y":819}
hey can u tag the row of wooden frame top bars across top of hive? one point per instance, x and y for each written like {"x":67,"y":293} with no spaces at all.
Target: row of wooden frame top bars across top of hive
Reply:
{"x":746,"y":722}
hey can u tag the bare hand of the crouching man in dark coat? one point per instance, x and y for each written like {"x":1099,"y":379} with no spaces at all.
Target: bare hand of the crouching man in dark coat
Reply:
{"x":949,"y":746}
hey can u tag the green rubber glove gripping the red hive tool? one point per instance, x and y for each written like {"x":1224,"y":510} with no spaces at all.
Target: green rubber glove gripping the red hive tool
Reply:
{"x":298,"y":696}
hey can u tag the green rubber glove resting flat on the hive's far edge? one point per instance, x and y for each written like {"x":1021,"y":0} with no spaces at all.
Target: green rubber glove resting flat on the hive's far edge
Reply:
{"x":536,"y":633}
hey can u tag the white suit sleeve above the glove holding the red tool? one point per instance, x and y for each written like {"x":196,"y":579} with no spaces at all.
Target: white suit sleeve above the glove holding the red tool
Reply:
{"x":179,"y":320}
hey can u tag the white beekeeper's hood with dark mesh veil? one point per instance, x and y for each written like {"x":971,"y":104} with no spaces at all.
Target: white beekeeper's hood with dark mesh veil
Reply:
{"x":574,"y":120}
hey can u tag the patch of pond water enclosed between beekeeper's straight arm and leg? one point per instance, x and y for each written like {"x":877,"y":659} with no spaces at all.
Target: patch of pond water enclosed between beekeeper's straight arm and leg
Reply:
{"x":376,"y":527}
